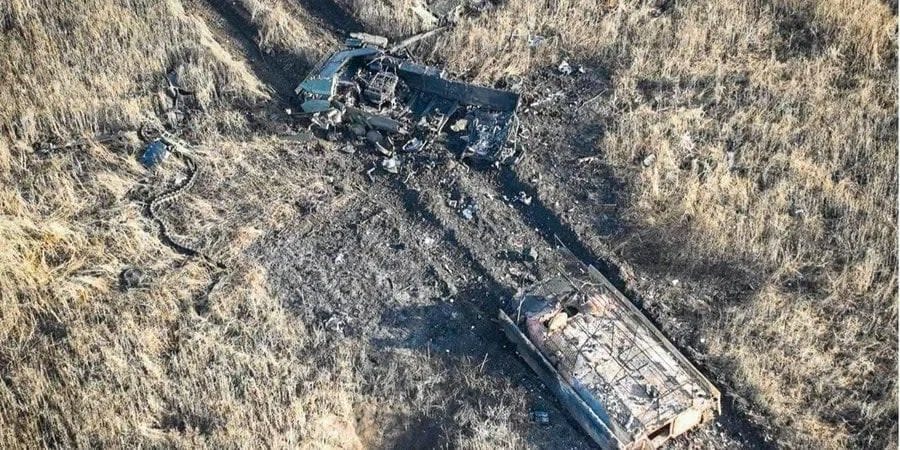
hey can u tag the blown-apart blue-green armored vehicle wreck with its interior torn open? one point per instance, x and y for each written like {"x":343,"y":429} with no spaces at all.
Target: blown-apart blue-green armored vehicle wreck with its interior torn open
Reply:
{"x":402,"y":106}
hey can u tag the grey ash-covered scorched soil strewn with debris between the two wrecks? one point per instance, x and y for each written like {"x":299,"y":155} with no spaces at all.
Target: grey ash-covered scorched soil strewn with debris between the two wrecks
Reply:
{"x":394,"y":261}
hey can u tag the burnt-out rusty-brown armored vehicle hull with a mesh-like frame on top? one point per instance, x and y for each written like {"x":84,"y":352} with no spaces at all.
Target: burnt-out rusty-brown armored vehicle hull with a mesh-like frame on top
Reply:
{"x":624,"y":383}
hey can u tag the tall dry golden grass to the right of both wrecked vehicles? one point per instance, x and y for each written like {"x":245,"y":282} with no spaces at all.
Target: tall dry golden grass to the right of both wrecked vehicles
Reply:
{"x":773,"y":126}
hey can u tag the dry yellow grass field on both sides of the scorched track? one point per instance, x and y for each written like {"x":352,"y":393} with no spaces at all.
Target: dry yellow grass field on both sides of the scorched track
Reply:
{"x":773,"y":130}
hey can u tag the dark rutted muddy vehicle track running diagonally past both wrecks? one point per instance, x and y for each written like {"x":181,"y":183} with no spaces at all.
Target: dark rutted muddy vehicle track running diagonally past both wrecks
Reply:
{"x":507,"y":225}
